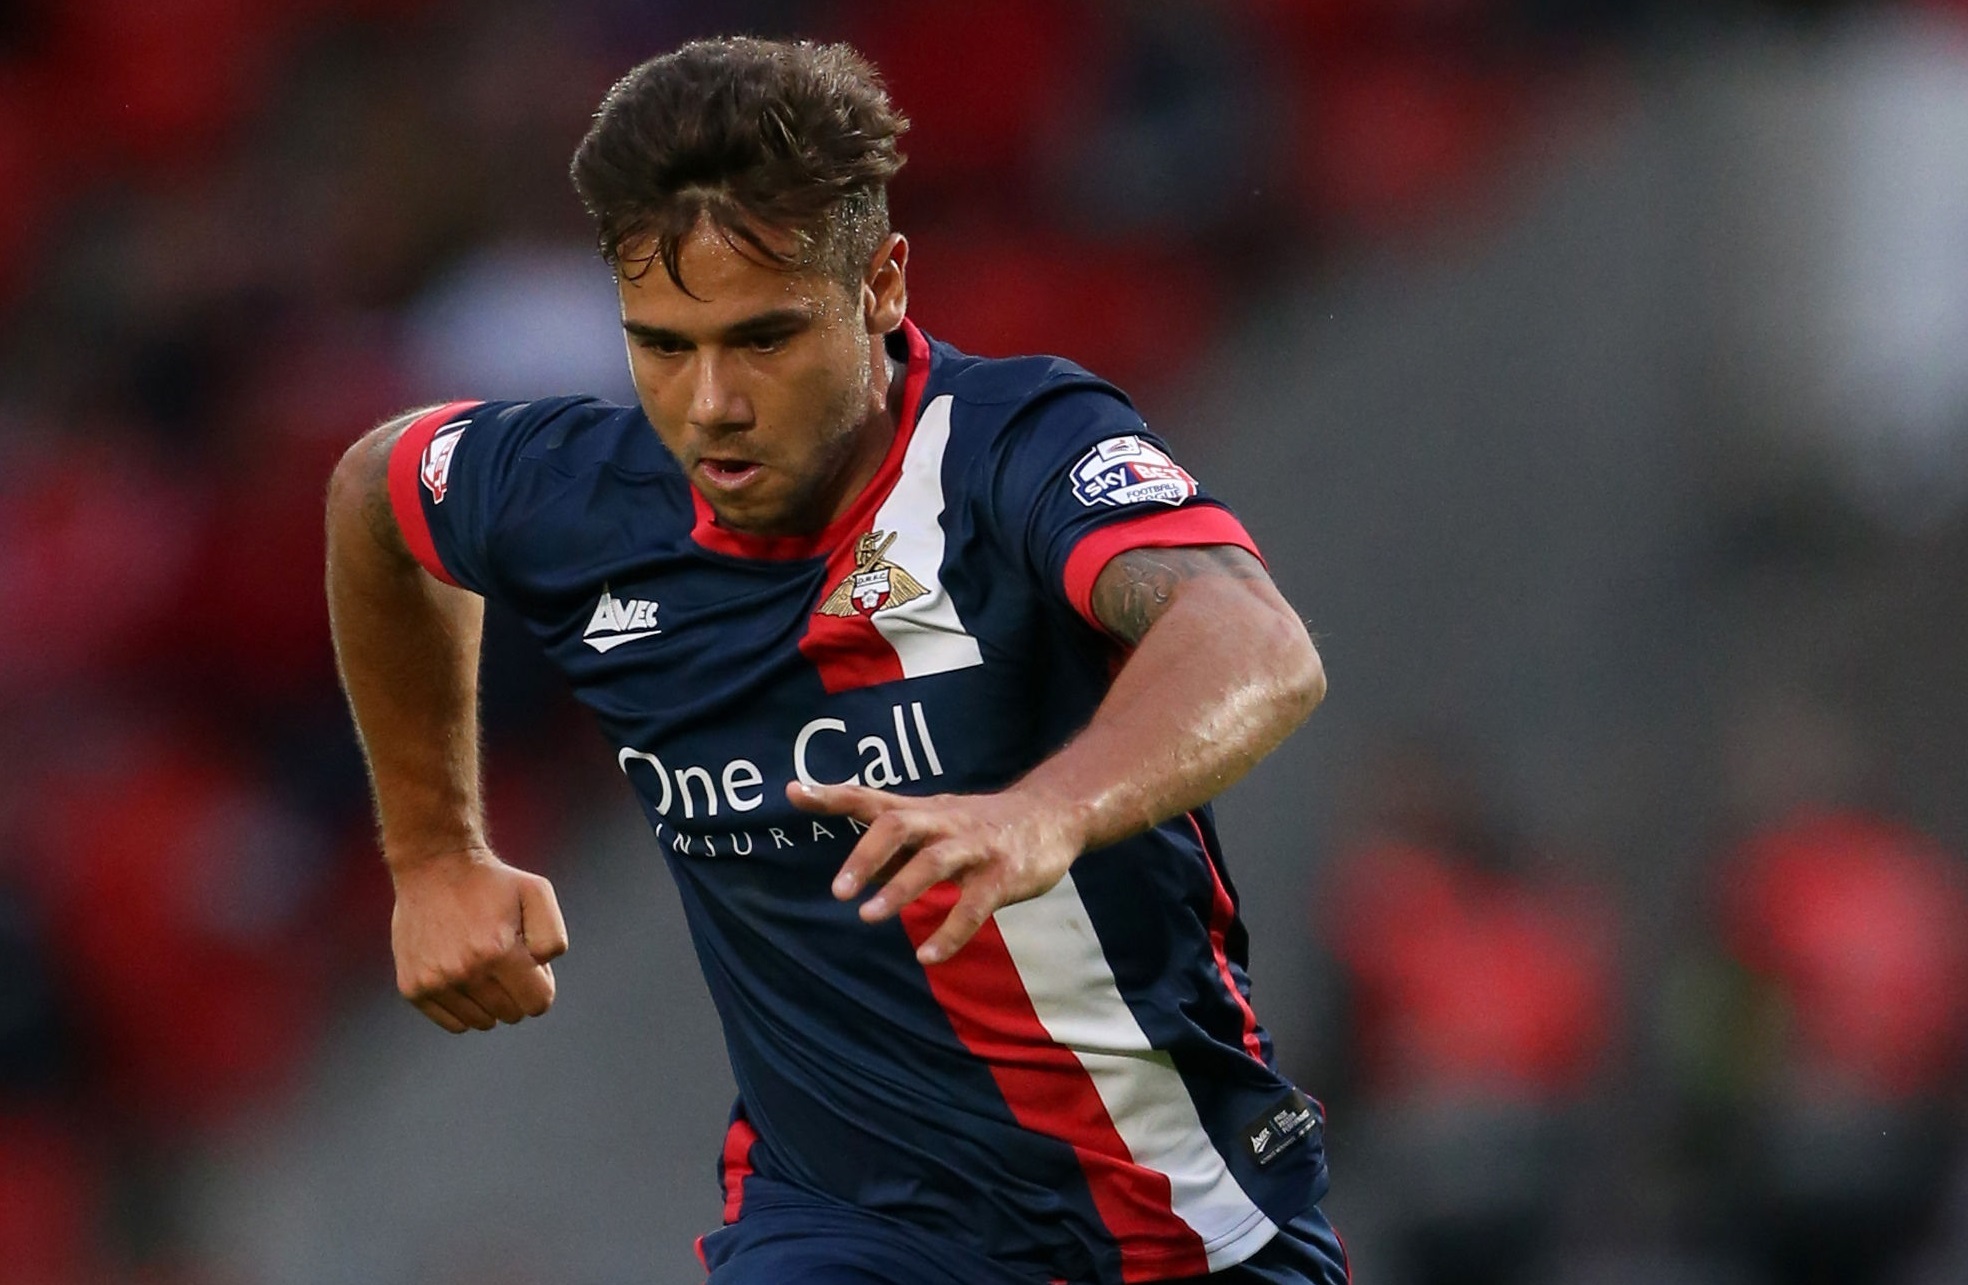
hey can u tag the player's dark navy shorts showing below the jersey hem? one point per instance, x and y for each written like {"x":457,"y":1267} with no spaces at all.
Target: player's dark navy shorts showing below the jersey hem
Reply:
{"x":833,"y":1247}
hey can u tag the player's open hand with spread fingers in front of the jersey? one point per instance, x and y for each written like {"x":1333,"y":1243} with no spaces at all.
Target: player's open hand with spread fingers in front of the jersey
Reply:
{"x":995,"y":849}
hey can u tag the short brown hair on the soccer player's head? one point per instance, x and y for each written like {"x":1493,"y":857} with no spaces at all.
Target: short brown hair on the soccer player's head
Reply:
{"x":755,"y":137}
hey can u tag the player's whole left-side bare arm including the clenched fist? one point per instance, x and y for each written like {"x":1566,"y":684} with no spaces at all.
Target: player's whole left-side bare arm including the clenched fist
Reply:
{"x":471,"y":934}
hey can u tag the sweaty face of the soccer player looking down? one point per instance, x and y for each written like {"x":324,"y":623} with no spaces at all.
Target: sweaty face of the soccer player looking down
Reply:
{"x":767,"y":387}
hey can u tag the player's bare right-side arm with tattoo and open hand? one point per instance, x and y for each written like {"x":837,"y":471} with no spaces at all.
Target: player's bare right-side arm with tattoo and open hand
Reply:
{"x":1221,"y":672}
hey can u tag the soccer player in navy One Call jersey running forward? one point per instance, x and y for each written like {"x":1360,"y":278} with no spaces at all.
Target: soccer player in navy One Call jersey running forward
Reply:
{"x":924,"y":670}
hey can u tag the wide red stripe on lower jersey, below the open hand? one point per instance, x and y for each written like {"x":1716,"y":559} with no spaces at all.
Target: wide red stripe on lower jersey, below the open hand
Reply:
{"x":1050,"y":1093}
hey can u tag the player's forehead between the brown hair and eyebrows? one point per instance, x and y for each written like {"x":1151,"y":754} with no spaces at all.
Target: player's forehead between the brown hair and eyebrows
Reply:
{"x":725,"y":286}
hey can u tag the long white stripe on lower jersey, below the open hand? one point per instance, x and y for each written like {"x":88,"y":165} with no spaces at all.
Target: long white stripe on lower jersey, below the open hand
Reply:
{"x":1074,"y":991}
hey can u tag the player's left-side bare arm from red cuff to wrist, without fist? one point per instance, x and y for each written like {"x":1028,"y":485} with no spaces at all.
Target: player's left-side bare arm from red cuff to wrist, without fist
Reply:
{"x":408,"y":654}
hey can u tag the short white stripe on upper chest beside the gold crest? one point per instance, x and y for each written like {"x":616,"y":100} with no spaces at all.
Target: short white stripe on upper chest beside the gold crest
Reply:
{"x":926,"y":633}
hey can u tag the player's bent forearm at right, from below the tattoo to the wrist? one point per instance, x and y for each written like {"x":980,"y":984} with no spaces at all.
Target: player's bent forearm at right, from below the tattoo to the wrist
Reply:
{"x":1221,"y":676}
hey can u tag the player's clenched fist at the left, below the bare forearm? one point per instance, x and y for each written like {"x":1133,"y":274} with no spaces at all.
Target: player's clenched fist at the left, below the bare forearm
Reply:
{"x":475,"y":940}
